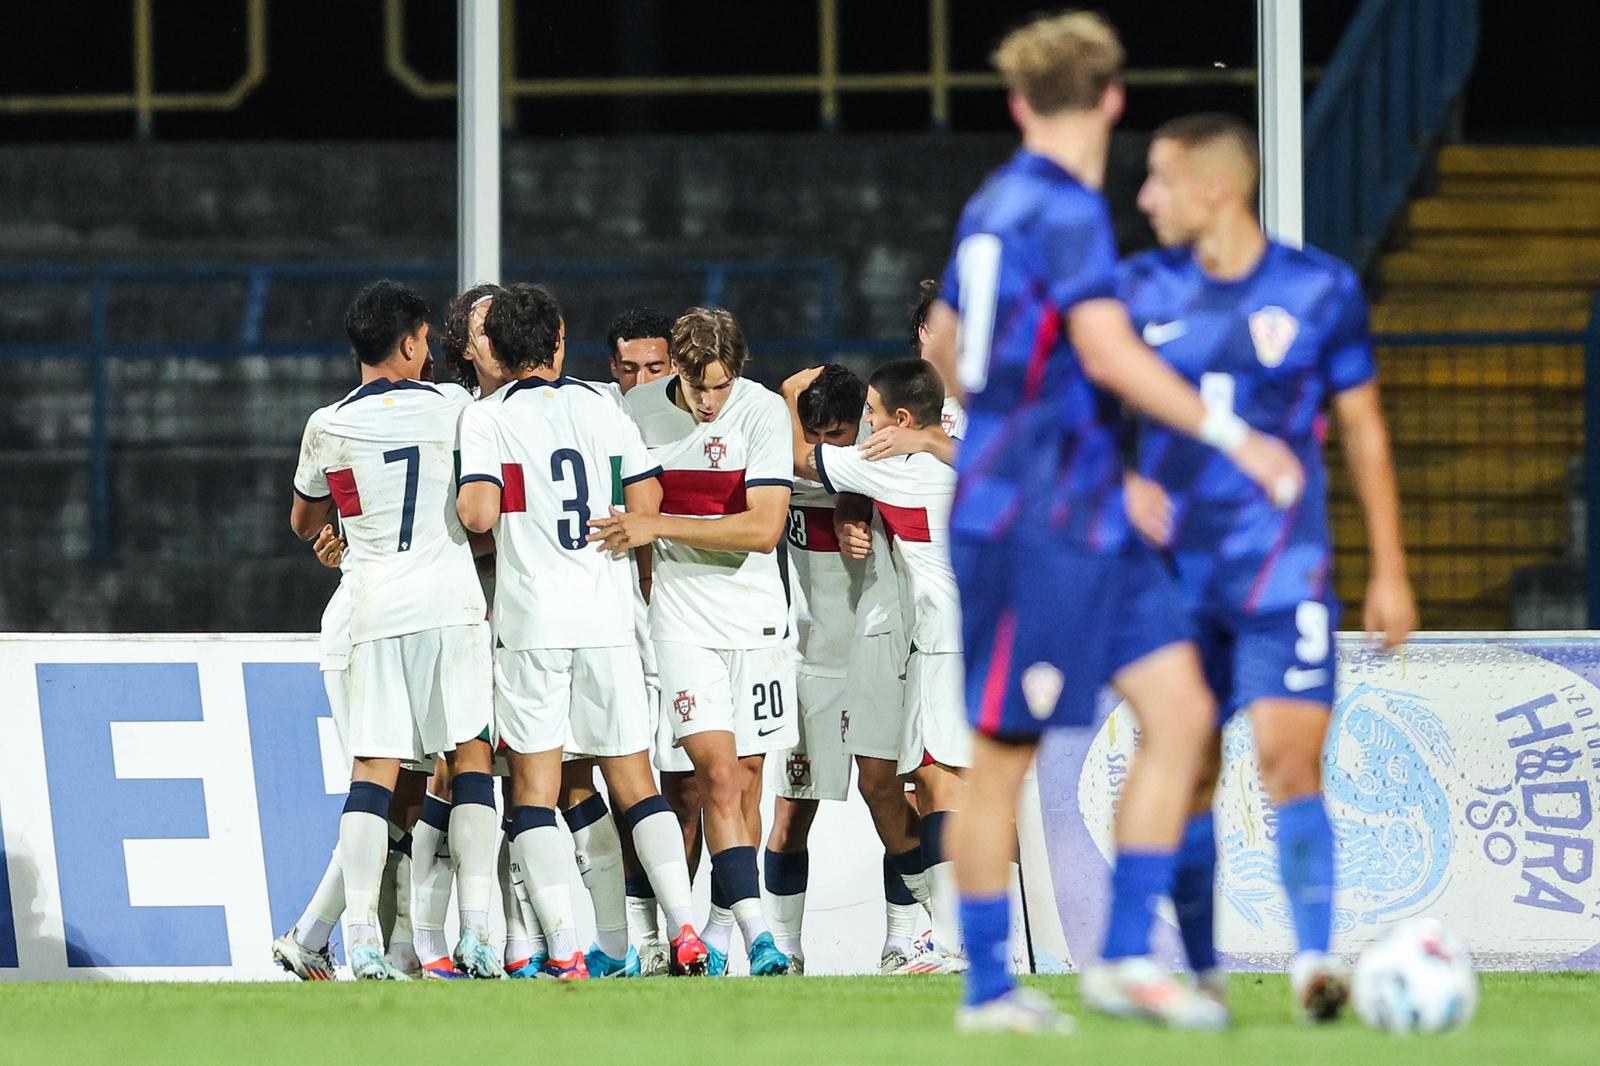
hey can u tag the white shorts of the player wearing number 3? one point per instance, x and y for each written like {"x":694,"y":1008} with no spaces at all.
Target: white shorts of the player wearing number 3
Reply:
{"x":590,"y":702}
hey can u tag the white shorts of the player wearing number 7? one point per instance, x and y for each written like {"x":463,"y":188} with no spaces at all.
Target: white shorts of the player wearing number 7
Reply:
{"x":420,"y":695}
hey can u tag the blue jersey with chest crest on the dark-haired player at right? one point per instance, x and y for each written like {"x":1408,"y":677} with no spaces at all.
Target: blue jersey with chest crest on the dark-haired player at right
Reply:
{"x":1273,"y":347}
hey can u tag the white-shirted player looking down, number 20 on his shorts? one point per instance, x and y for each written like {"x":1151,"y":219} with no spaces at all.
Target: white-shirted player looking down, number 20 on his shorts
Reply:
{"x":719,"y":611}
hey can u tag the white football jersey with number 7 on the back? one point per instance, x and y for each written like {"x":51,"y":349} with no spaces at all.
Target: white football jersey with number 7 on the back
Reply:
{"x":388,"y":457}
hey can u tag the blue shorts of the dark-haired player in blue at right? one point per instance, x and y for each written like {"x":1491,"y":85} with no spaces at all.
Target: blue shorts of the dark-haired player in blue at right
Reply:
{"x":1278,"y":655}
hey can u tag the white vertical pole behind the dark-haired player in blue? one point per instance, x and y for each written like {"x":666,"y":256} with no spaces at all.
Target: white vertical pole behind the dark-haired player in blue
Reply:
{"x":1282,"y":118}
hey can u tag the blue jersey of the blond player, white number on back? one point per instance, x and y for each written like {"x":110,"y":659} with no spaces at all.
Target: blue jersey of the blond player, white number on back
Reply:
{"x":1041,"y":444}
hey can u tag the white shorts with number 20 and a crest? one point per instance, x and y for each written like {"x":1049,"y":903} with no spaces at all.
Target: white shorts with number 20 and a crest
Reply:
{"x":748,"y":692}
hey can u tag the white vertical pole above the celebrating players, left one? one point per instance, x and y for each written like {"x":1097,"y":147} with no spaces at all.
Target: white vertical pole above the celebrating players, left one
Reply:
{"x":478,"y":143}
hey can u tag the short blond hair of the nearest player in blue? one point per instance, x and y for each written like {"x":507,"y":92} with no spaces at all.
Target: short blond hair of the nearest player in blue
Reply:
{"x":1060,"y":62}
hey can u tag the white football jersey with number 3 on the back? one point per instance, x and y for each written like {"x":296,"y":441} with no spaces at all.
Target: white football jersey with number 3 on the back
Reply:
{"x":561,"y":452}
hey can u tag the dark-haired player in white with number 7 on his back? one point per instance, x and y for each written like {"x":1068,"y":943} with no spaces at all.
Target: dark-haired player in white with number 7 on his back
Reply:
{"x":420,"y":659}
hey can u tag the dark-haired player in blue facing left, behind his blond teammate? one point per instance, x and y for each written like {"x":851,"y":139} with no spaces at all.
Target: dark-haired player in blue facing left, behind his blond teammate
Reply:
{"x":1274,"y":335}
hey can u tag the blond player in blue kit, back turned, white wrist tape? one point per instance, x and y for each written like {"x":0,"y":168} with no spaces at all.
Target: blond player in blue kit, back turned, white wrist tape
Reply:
{"x":1058,"y":596}
